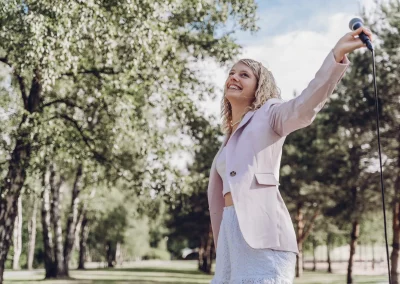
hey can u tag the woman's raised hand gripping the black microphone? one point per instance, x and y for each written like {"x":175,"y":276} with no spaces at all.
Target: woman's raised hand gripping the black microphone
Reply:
{"x":349,"y":42}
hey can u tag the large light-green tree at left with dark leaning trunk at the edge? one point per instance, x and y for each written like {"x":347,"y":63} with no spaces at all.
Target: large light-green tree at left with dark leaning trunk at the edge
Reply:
{"x":68,"y":58}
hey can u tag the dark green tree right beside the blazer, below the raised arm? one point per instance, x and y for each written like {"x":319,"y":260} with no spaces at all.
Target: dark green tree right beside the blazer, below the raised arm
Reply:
{"x":306,"y":183}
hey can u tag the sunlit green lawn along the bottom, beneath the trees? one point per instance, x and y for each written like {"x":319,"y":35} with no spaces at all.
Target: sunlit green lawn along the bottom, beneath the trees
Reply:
{"x":163,"y":273}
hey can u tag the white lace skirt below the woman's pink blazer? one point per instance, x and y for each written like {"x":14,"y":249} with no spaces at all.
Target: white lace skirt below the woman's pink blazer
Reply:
{"x":238,"y":263}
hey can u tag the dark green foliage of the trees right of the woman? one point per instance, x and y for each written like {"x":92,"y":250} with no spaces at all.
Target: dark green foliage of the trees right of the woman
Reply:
{"x":333,"y":163}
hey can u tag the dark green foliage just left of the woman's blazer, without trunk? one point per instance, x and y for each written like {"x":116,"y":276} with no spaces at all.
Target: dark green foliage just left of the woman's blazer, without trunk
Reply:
{"x":189,"y":216}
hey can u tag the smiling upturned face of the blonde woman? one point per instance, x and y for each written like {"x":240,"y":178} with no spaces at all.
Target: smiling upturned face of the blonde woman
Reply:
{"x":241,"y":84}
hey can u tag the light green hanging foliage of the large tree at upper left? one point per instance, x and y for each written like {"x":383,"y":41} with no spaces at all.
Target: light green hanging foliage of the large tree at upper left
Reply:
{"x":107,"y":78}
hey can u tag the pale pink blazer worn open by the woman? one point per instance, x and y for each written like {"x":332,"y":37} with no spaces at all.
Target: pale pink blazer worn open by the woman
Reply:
{"x":253,"y":159}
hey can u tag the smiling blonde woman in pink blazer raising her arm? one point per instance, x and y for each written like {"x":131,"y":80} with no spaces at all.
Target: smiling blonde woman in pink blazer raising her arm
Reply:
{"x":253,"y":233}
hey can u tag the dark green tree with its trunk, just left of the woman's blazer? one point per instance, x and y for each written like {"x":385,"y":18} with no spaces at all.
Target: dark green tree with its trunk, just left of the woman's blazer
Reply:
{"x":189,"y":218}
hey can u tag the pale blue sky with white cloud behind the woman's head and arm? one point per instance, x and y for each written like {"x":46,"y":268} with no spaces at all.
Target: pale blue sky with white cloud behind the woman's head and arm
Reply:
{"x":294,"y":38}
